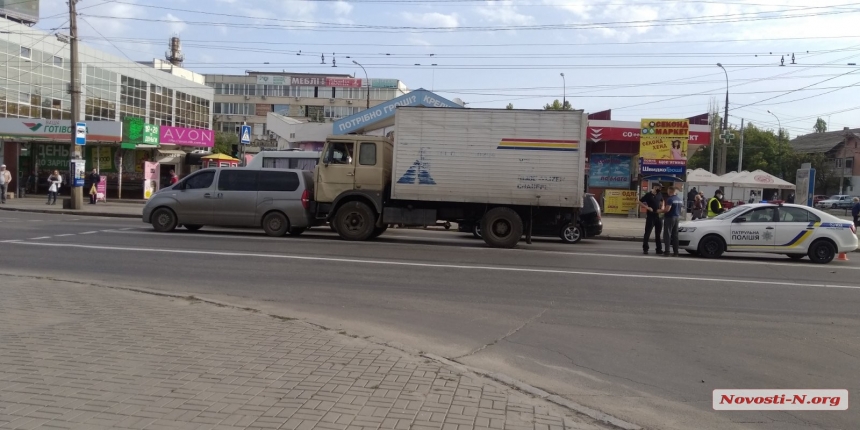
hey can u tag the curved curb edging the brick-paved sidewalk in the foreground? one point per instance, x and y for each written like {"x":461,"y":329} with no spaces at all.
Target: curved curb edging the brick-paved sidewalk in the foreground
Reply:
{"x":515,"y":384}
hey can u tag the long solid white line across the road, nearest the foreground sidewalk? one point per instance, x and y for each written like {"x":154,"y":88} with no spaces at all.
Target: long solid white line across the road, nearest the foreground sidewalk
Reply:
{"x":438,"y":265}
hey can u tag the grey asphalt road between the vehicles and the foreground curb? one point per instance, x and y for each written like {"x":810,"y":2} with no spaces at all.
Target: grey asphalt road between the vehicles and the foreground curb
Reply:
{"x":643,"y":338}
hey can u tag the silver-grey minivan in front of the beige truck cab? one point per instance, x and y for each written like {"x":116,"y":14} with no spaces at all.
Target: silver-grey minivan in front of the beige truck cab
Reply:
{"x":278,"y":200}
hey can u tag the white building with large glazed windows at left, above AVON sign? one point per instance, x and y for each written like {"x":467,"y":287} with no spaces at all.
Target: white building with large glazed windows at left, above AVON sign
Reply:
{"x":35,"y":74}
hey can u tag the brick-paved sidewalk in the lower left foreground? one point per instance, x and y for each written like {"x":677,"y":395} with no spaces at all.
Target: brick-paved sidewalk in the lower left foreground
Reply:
{"x":90,"y":357}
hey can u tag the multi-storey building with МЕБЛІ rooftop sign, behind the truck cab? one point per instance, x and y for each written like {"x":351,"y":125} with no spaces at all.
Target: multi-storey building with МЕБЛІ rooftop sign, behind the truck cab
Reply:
{"x":312,"y":97}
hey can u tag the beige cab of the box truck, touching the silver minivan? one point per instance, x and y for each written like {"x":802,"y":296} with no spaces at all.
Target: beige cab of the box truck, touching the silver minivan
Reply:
{"x":354,"y":170}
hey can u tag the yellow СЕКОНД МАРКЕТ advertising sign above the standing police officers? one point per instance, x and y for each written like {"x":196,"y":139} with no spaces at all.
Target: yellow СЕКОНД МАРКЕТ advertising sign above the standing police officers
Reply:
{"x":664,"y":139}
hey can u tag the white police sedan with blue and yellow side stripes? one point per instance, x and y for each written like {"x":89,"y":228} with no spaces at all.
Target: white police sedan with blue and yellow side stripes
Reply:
{"x":794,"y":230}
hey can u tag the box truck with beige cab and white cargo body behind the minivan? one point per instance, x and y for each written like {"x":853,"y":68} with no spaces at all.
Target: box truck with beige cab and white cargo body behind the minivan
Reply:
{"x":507,"y":170}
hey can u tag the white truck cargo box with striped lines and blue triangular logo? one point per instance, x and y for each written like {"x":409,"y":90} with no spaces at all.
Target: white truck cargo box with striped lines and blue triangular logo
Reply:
{"x":490,"y":156}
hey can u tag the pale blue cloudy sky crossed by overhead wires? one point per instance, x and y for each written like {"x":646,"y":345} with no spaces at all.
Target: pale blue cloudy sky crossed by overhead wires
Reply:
{"x":642,"y":59}
